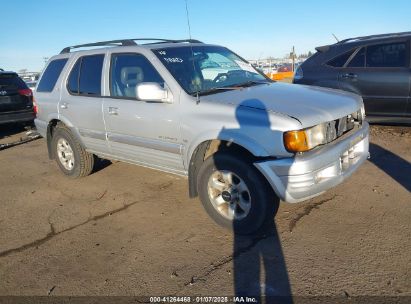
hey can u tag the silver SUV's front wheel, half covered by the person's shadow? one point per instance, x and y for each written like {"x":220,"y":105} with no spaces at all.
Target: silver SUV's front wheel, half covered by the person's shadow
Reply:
{"x":257,"y":197}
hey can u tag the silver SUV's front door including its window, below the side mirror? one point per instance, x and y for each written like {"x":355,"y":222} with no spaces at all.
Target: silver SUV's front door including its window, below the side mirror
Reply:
{"x":144,"y":132}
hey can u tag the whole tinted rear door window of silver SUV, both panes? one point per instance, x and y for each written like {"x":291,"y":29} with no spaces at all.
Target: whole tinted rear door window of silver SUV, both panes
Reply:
{"x":85,"y":76}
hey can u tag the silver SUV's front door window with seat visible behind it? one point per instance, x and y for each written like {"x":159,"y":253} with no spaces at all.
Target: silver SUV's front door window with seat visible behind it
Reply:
{"x":128,"y":70}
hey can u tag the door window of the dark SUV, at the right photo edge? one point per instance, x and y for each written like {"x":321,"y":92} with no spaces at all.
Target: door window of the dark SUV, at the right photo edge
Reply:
{"x":387,"y":55}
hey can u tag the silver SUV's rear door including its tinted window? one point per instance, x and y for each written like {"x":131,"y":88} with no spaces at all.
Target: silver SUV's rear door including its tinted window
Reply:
{"x":81,"y":102}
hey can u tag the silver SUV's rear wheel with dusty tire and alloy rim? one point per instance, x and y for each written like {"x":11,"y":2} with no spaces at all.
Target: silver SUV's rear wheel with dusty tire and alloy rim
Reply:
{"x":70,"y":156}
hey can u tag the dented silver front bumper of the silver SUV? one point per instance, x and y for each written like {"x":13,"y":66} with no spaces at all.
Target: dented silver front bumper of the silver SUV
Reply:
{"x":310,"y":174}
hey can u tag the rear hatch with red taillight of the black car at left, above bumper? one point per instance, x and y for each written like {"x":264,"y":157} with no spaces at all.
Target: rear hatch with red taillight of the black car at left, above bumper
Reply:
{"x":14,"y":93}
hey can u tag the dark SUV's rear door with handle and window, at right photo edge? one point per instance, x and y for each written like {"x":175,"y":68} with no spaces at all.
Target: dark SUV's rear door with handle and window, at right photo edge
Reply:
{"x":381,"y":74}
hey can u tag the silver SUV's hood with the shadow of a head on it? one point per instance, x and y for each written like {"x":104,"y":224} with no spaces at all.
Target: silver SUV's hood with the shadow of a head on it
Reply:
{"x":310,"y":105}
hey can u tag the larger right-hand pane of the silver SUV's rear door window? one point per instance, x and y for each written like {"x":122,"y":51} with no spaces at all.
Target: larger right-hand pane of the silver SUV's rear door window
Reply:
{"x":90,"y":75}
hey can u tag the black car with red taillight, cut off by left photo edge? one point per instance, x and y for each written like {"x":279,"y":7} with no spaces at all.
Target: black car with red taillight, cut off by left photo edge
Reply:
{"x":16,"y":99}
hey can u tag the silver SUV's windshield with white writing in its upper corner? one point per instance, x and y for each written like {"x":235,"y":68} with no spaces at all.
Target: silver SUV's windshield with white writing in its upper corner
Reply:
{"x":211,"y":69}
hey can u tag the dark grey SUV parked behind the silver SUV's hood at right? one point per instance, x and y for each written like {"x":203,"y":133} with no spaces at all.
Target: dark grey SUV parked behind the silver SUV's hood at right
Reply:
{"x":375,"y":67}
